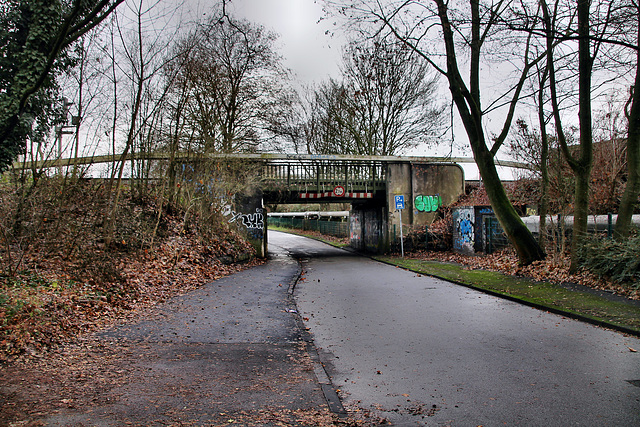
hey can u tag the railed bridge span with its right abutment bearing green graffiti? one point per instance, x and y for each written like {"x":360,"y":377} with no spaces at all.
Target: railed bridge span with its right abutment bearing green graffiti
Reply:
{"x":369,"y":184}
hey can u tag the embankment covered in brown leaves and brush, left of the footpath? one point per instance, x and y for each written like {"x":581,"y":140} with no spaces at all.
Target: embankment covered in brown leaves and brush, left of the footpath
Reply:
{"x":58,"y":278}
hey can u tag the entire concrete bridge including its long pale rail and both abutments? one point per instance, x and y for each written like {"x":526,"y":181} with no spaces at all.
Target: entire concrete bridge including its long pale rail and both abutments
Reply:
{"x":368,"y":183}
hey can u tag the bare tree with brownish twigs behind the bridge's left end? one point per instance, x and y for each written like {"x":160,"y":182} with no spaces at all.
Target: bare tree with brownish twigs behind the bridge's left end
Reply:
{"x":233,"y":70}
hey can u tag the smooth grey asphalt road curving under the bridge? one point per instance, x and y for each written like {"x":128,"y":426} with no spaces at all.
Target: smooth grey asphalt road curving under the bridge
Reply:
{"x":422,"y":351}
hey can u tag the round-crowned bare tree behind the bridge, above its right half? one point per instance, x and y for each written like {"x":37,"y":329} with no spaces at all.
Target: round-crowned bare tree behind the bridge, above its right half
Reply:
{"x":386,"y":104}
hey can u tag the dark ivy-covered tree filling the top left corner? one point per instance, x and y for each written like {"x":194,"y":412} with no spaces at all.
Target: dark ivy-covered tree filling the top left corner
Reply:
{"x":35,"y":37}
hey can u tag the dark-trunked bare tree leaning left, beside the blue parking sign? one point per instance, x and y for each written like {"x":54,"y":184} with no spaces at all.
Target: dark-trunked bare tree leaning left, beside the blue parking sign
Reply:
{"x":438,"y":35}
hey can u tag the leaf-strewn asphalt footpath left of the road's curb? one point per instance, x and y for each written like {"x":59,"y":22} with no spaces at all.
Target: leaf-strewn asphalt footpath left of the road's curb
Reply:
{"x":227,"y":354}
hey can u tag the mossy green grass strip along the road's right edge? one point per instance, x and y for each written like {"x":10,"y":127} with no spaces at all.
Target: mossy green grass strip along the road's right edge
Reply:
{"x":549,"y":296}
